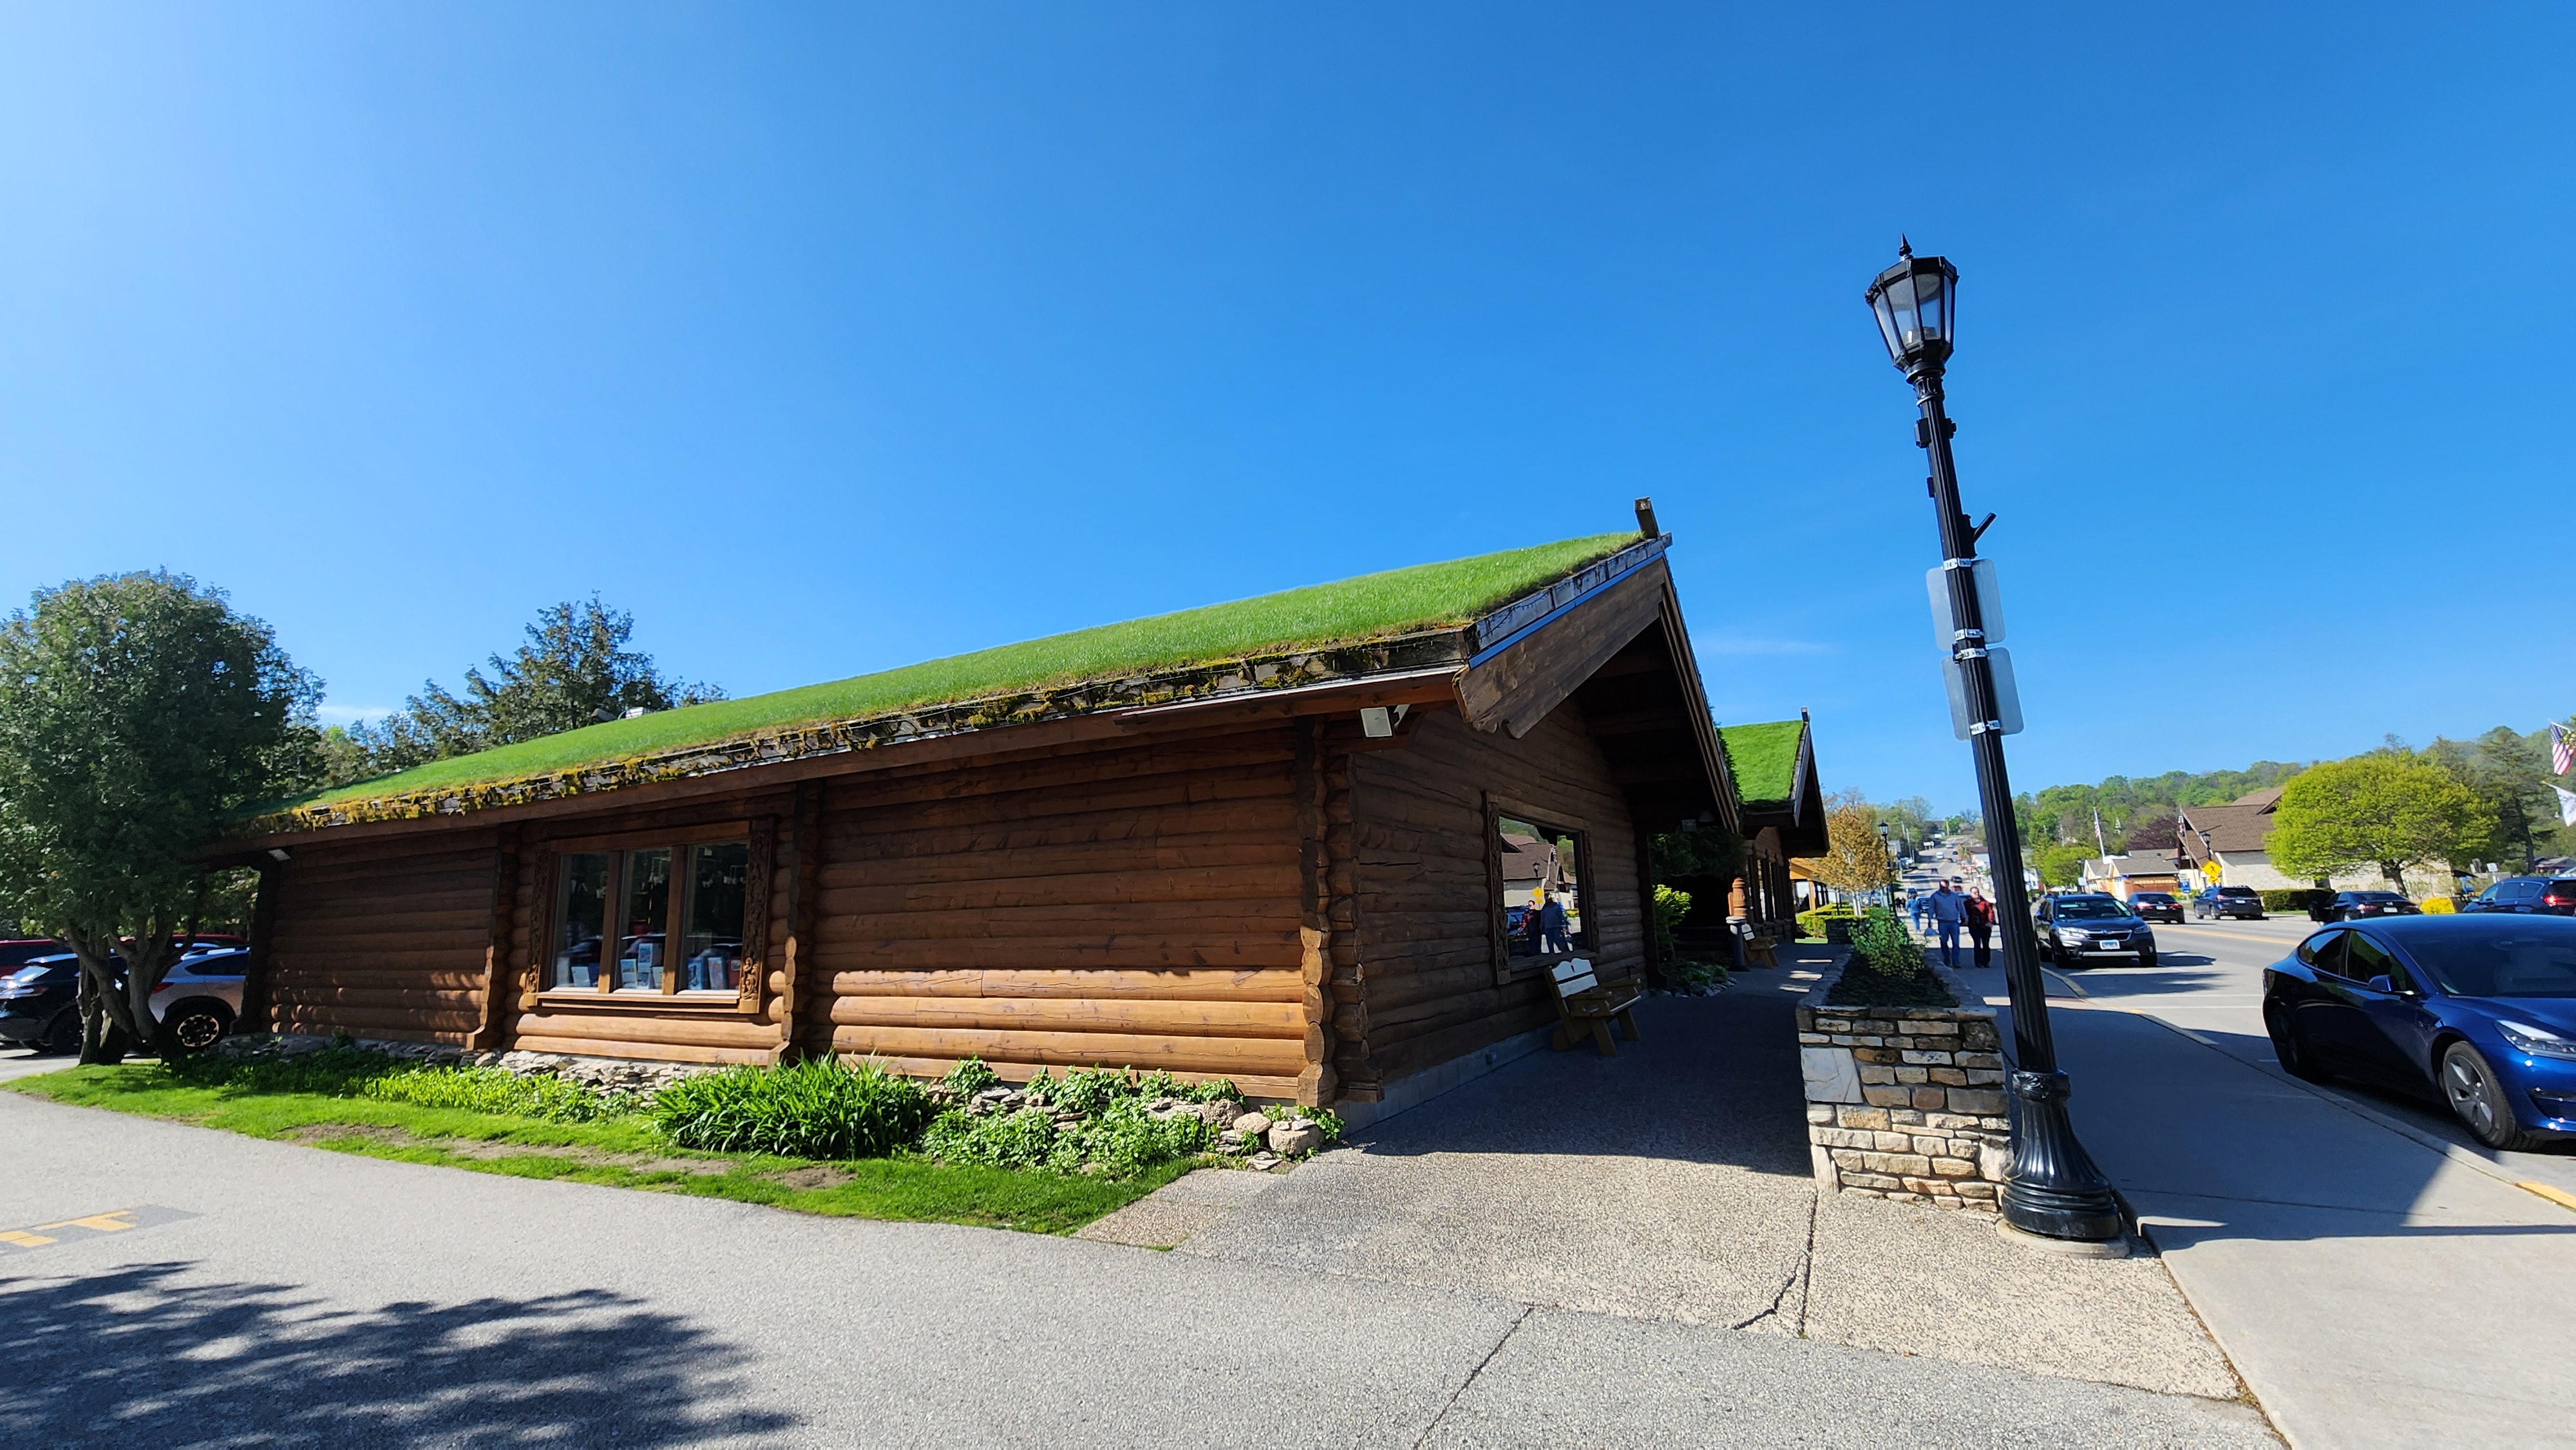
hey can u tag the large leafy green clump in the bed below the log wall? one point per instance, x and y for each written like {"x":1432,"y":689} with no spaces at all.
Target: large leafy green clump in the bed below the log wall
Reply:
{"x":805,"y":1111}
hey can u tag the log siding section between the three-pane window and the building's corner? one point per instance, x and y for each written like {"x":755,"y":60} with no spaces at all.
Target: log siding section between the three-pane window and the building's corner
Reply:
{"x":1130,"y":905}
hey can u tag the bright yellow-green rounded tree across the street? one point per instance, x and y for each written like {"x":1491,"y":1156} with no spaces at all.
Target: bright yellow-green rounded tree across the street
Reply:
{"x":2387,"y":810}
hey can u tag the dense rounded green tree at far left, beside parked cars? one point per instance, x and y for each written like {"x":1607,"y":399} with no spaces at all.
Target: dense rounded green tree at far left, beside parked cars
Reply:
{"x":138,"y":712}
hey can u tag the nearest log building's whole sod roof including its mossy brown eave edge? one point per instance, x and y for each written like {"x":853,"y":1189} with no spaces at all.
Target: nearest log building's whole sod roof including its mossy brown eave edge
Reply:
{"x":1297,"y":637}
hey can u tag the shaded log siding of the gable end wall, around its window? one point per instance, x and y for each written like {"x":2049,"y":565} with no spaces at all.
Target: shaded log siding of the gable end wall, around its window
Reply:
{"x":1423,"y":985}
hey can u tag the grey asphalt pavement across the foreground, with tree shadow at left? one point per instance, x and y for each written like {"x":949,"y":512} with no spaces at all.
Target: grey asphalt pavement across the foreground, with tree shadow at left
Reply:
{"x":202,"y":1289}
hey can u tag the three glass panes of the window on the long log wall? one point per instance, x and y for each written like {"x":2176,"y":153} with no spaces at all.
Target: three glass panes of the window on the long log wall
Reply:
{"x":650,"y":918}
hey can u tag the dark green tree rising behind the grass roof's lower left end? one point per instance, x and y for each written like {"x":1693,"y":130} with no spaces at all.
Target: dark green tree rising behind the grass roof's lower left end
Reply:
{"x":573,"y":671}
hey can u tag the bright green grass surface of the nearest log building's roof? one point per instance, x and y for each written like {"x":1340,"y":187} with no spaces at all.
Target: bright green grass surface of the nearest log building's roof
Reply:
{"x":1372,"y":607}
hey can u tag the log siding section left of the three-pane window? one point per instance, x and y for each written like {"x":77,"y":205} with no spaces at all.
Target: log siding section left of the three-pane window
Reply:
{"x":383,"y":941}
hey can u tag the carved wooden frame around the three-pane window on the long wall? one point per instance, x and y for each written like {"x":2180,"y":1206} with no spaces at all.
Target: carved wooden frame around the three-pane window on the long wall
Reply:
{"x":761,"y":838}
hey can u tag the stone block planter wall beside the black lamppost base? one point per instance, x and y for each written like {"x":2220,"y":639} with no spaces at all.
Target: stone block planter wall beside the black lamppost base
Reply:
{"x":1905,"y":1101}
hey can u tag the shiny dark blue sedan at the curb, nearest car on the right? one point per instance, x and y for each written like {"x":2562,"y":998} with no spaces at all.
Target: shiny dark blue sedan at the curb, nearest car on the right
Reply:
{"x":2477,"y":1011}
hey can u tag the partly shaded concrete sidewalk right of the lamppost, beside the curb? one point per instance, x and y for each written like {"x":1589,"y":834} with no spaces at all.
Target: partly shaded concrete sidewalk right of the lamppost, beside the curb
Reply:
{"x":2371,"y":1289}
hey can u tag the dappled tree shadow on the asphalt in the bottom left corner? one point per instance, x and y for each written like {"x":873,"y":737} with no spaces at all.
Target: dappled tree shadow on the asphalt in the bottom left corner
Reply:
{"x":148,"y":1359}
